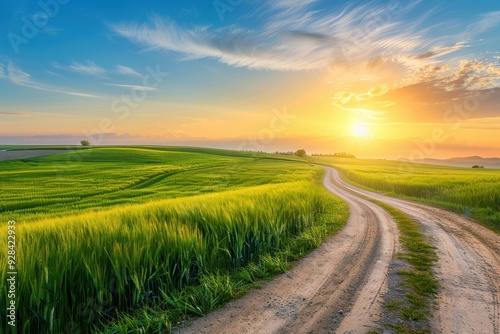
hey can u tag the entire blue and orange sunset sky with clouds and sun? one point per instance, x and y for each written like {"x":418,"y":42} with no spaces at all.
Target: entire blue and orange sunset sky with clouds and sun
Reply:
{"x":380,"y":79}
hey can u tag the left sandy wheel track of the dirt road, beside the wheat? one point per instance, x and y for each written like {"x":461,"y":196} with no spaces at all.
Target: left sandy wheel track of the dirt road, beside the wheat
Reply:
{"x":337,"y":288}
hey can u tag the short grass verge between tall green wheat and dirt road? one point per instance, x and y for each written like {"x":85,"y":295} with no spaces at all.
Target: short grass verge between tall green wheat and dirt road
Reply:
{"x":215,"y":289}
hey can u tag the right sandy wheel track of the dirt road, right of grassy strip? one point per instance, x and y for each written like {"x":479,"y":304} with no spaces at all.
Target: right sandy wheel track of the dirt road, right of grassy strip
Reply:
{"x":468,"y":271}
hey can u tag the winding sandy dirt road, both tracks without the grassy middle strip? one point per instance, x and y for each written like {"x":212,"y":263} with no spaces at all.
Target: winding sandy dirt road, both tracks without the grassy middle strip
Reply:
{"x":339,"y":287}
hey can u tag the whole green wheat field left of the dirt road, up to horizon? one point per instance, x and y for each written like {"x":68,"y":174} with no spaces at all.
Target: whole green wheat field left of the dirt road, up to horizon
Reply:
{"x":105,"y":233}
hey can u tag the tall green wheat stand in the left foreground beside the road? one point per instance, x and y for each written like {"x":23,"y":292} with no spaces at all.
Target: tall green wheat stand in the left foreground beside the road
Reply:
{"x":78,"y":270}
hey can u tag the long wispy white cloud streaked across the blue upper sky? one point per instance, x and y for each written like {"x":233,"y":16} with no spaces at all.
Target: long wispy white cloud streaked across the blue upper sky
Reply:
{"x":306,"y":39}
